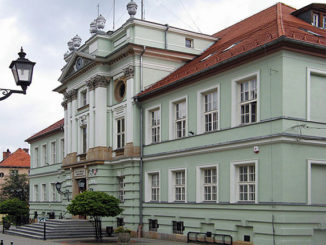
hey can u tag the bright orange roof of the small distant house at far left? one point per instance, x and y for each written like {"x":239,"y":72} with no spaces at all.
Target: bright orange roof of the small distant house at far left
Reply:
{"x":19,"y":158}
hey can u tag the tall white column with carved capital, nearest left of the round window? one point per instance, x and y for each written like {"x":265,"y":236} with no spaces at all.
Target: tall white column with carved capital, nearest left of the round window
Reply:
{"x":100,"y":110}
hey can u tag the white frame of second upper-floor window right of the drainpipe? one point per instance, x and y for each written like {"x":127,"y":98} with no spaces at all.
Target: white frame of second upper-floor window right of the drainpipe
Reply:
{"x":172,"y":117}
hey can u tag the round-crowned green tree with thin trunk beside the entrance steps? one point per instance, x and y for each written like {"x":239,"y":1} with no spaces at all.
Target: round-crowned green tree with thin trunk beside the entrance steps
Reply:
{"x":95,"y":204}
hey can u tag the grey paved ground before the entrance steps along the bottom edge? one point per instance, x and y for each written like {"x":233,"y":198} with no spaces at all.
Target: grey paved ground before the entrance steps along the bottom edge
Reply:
{"x":17,"y":240}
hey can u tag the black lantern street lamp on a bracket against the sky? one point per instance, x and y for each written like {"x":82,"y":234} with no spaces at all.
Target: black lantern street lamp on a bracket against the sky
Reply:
{"x":22,"y":70}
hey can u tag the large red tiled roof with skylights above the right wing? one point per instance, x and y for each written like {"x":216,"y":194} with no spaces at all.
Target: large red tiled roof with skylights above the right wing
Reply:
{"x":256,"y":31}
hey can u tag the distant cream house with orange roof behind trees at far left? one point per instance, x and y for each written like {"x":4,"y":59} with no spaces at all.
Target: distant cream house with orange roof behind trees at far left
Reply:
{"x":18,"y":162}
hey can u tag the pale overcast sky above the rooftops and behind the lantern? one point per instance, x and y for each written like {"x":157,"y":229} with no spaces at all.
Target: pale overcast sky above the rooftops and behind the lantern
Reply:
{"x":43,"y":28}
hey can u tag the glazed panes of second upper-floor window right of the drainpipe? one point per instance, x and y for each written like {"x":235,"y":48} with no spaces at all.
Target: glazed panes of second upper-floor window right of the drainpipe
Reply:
{"x":180,"y":119}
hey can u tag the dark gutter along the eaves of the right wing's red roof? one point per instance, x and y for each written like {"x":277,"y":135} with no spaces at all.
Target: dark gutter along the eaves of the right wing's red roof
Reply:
{"x":225,"y":62}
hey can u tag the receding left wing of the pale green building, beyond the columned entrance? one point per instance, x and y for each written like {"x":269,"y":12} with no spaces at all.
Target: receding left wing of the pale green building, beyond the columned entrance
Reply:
{"x":47,"y":151}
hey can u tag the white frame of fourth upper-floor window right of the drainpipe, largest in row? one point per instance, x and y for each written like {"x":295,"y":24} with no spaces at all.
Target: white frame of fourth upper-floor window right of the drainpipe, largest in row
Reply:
{"x":236,"y":113}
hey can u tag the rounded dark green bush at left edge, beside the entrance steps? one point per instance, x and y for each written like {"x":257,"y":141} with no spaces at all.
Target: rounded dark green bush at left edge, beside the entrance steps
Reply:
{"x":16,"y":210}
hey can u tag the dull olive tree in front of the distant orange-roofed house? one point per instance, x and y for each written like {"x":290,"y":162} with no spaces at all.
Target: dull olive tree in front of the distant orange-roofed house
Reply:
{"x":16,"y":186}
